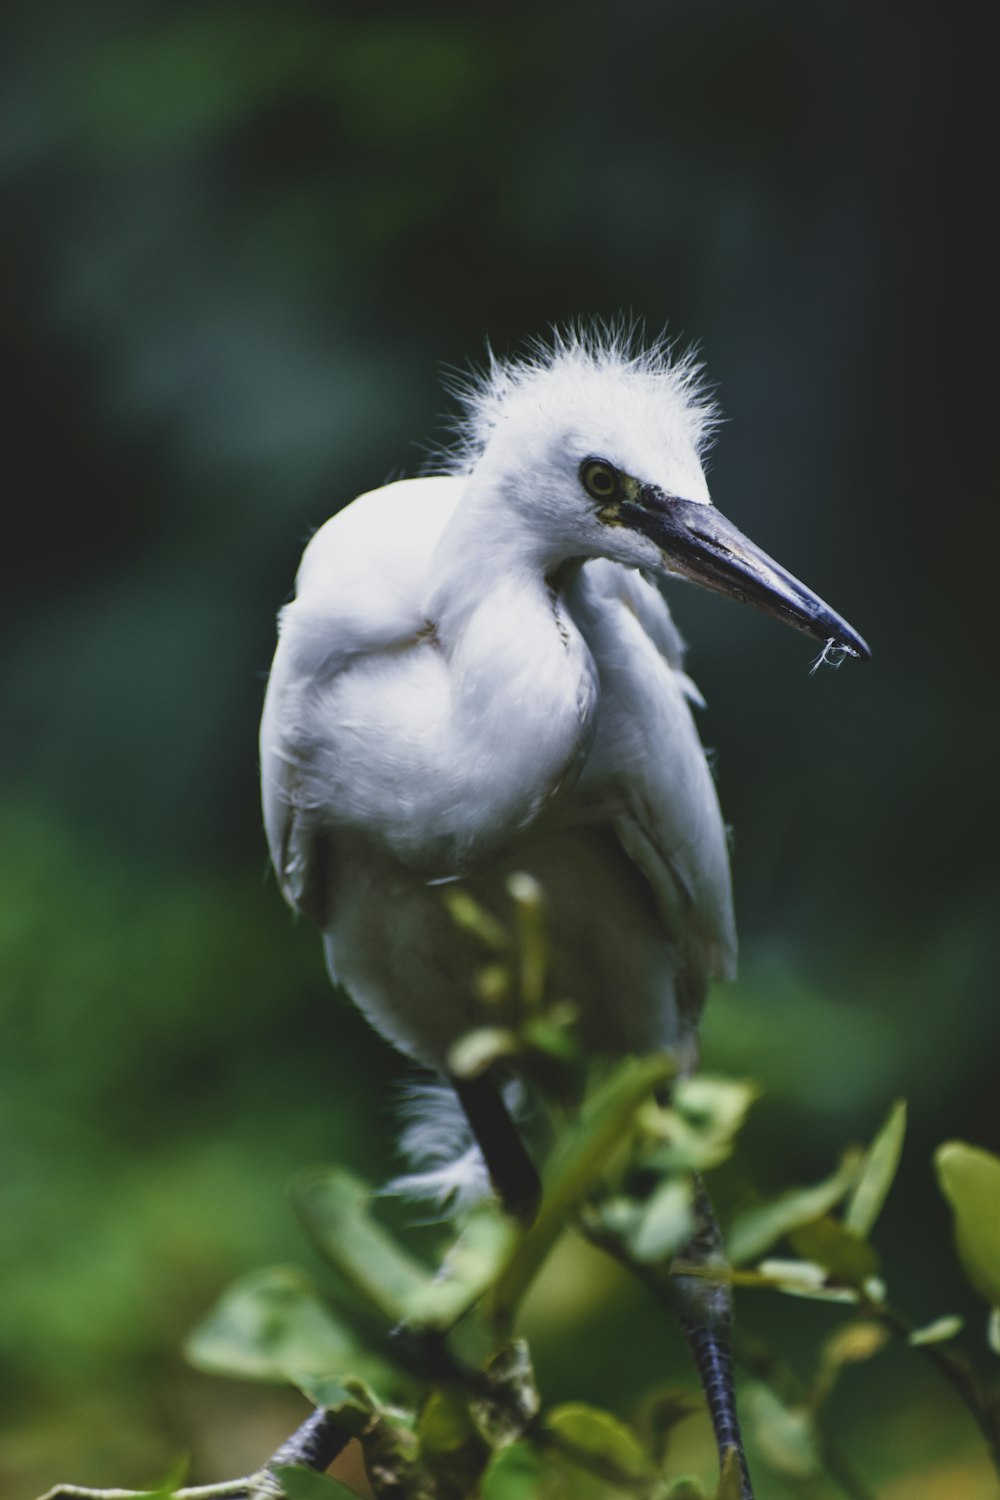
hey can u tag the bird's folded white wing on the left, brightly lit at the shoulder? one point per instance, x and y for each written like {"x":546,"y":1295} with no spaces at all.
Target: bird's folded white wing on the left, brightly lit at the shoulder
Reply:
{"x":359,"y":592}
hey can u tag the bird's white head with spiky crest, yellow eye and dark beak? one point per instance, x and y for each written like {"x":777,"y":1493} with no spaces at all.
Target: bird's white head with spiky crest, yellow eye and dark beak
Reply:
{"x":596,"y":448}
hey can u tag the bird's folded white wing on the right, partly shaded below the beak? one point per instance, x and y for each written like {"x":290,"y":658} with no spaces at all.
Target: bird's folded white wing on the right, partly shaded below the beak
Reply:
{"x":647,"y":770}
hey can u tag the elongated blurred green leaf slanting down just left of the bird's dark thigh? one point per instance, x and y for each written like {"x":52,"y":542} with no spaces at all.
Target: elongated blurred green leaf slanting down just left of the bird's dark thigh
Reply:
{"x":335,"y":1210}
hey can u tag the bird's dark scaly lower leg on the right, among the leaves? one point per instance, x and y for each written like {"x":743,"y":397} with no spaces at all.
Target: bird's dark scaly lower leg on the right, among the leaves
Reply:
{"x":705,"y":1310}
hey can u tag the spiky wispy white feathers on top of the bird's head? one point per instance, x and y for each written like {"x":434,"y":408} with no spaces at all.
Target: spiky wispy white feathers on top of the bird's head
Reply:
{"x":596,"y":367}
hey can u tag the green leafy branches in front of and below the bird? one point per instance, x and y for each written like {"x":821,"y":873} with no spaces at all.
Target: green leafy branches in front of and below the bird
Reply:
{"x":424,"y":1366}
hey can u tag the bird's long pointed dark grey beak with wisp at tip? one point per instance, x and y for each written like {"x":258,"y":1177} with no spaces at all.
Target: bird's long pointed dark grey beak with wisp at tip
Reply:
{"x":702,"y":545}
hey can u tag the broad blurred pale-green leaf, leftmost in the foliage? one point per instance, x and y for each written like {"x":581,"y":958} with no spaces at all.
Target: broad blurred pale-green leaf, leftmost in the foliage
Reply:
{"x":272,"y":1325}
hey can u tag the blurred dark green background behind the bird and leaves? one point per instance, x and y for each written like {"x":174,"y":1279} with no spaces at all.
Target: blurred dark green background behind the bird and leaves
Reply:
{"x":241,"y":242}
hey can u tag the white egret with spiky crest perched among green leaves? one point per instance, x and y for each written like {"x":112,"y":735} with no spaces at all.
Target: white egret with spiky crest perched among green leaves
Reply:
{"x":478,"y":676}
